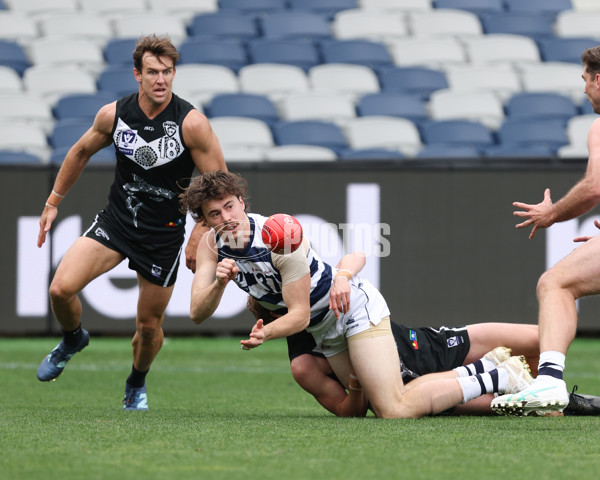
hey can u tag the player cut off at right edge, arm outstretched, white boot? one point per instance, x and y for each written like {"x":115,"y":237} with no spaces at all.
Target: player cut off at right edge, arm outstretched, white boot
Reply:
{"x":575,"y":276}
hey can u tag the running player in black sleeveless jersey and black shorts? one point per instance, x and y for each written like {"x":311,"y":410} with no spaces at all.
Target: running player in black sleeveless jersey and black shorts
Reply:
{"x":159,"y":138}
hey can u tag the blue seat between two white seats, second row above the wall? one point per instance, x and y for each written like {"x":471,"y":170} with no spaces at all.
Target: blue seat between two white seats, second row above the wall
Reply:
{"x":310,"y":132}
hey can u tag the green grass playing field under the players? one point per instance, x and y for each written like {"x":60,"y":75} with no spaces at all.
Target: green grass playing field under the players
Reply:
{"x":217,"y":412}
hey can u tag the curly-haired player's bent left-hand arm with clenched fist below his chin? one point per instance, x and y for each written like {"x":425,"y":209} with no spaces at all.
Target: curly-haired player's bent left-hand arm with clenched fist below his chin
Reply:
{"x":210,"y":279}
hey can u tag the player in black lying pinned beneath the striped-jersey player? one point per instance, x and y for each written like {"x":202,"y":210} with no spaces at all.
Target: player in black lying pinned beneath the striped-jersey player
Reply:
{"x":422,"y":351}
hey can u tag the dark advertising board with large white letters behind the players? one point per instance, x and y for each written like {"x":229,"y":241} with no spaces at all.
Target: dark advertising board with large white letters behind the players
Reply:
{"x":441,"y":242}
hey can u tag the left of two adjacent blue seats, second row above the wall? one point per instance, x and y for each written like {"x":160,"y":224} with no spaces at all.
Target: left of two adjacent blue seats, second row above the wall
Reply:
{"x":457,"y":132}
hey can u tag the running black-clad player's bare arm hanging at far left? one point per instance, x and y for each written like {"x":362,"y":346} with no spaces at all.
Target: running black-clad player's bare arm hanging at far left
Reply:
{"x":97,"y":137}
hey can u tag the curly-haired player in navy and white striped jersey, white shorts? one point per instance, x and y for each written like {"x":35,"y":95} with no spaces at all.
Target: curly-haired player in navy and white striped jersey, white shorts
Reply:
{"x":358,"y":342}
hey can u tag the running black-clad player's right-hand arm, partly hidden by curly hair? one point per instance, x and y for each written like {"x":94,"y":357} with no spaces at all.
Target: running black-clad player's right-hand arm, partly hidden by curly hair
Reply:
{"x":207,"y":155}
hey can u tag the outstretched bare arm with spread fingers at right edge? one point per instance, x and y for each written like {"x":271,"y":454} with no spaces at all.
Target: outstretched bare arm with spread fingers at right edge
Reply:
{"x":584,"y":195}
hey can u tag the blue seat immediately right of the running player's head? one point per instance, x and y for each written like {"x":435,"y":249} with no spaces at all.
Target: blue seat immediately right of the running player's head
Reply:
{"x":227,"y":53}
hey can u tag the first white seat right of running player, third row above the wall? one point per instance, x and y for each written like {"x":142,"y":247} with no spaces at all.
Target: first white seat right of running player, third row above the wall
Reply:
{"x":329,"y":107}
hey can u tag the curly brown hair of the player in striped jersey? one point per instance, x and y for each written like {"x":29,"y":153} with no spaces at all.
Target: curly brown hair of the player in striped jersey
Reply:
{"x":212,"y":186}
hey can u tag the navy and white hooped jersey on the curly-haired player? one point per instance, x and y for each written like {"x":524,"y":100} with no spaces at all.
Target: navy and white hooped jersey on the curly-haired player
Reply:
{"x":259,"y":277}
